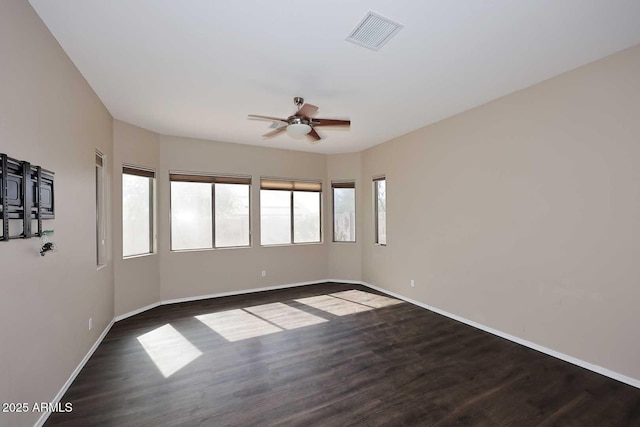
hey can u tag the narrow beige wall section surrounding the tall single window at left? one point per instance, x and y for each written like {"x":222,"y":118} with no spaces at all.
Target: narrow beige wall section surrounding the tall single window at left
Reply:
{"x":137,"y":279}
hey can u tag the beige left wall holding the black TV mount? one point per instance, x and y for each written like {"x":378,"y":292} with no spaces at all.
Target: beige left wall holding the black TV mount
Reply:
{"x":50,"y":117}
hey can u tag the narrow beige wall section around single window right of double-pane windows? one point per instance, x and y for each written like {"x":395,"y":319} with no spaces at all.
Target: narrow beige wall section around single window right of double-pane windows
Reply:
{"x":344,"y":259}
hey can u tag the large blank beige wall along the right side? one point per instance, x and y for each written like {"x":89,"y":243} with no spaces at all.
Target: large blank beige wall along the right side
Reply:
{"x":524,"y":214}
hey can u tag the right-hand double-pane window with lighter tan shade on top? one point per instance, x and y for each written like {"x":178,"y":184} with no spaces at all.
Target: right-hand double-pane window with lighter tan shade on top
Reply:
{"x":290,"y":212}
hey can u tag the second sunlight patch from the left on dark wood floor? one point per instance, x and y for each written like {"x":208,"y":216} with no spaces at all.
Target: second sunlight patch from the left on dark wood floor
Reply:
{"x":236,"y":325}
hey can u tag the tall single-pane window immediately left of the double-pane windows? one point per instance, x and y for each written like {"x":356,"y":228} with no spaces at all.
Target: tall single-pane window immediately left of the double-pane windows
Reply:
{"x":137,"y":211}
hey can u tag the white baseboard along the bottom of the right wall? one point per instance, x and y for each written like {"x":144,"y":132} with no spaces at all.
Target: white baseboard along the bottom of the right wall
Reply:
{"x":590,"y":366}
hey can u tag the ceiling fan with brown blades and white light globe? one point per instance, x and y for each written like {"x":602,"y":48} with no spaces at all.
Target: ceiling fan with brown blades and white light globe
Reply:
{"x":301,"y":123}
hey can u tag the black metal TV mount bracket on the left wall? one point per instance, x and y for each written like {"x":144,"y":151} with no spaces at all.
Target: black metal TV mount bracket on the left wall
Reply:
{"x":26,"y":198}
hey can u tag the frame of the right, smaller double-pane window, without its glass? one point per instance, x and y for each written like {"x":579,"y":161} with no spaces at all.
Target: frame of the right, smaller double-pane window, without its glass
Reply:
{"x":292,"y":186}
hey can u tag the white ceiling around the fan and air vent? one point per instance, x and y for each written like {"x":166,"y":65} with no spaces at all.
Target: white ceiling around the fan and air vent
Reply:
{"x":197,"y":68}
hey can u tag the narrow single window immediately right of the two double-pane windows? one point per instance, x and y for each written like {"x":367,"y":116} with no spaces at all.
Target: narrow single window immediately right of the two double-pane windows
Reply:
{"x":344,"y":211}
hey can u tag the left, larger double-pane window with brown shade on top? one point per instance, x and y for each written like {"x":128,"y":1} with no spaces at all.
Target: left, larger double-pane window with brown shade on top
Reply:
{"x":209,"y":211}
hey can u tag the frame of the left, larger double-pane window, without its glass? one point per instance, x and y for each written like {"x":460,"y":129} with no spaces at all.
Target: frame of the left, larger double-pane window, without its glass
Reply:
{"x":212,"y":179}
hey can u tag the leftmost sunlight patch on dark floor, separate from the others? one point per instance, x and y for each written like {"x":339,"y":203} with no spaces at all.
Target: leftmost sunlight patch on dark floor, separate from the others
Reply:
{"x":168,"y":349}
